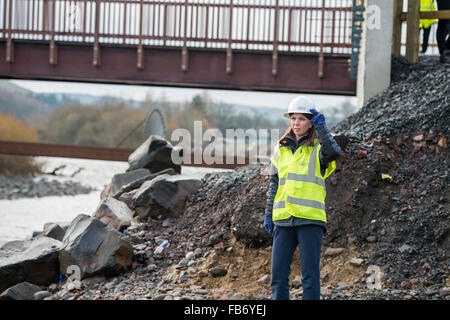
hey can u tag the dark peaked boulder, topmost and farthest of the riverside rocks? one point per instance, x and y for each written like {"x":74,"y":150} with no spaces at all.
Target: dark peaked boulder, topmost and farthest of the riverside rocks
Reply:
{"x":154,"y":154}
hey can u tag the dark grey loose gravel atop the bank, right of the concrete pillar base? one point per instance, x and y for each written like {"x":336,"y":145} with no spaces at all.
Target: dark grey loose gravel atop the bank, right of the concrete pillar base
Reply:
{"x":418,"y":99}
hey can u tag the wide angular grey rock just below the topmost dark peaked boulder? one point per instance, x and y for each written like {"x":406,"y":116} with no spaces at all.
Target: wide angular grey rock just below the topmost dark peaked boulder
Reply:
{"x":166,"y":192}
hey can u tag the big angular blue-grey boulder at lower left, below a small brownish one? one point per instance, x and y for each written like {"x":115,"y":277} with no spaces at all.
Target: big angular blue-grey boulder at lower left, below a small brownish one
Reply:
{"x":94,"y":247}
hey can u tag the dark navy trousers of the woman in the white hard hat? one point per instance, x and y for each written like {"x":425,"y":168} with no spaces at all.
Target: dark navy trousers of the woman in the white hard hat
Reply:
{"x":285,"y":241}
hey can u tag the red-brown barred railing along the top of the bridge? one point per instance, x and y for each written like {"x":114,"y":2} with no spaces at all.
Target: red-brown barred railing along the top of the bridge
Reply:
{"x":261,"y":25}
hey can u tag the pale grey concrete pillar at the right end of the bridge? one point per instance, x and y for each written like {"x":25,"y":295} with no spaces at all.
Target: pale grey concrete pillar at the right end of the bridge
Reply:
{"x":374,"y":69}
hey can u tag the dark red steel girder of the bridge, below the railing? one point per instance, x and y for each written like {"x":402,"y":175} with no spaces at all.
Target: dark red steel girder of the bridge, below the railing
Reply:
{"x":206,"y":68}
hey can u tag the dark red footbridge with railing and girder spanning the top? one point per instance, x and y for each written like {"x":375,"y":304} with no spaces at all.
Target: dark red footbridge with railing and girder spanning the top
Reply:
{"x":270,"y":45}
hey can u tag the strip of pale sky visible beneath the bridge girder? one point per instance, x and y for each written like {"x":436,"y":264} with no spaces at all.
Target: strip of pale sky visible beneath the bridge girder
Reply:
{"x":138,"y":93}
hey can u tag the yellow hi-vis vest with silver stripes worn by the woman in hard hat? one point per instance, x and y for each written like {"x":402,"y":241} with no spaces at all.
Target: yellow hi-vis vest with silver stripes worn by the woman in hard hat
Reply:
{"x":301,"y":191}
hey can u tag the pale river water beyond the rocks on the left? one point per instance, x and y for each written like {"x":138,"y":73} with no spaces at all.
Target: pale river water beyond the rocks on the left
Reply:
{"x":20,"y":217}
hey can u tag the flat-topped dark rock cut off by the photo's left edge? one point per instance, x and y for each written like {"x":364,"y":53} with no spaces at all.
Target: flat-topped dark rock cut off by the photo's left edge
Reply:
{"x":34,"y":261}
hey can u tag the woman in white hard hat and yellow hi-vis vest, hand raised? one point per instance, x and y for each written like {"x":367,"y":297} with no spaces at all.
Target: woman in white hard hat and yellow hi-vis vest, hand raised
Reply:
{"x":295,"y":209}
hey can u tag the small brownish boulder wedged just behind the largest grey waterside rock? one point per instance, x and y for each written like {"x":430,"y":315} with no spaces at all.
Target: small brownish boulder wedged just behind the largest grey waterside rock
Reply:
{"x":114,"y":213}
